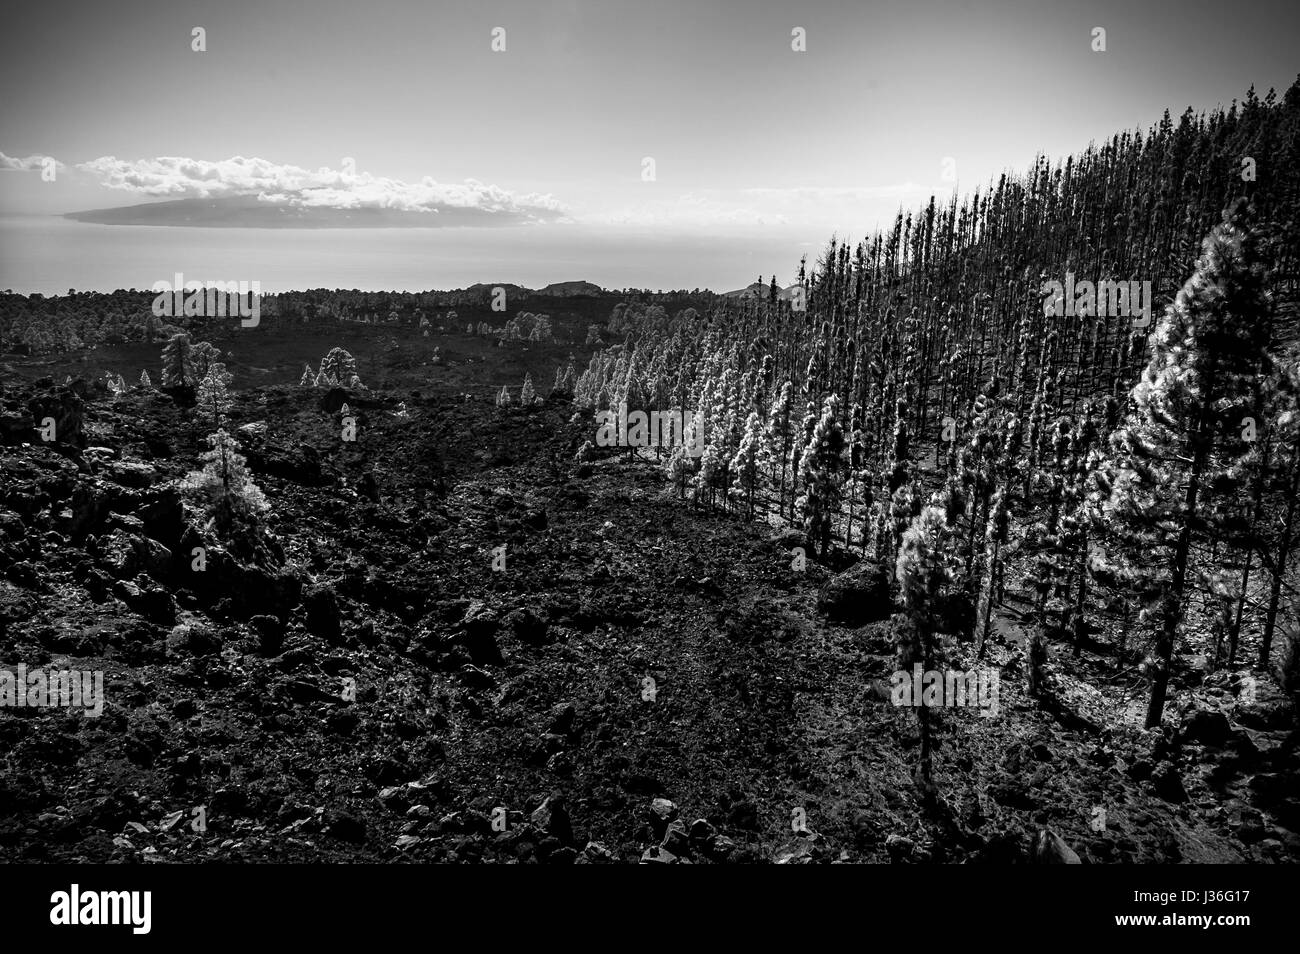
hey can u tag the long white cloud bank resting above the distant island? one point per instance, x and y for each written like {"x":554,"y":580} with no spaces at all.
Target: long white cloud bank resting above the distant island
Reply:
{"x":175,"y":177}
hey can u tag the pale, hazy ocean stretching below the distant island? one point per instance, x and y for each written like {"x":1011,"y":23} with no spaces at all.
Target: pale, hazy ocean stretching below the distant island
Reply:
{"x":51,"y":255}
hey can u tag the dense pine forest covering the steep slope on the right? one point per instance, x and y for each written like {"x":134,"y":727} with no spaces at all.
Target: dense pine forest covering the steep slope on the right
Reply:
{"x":928,"y":404}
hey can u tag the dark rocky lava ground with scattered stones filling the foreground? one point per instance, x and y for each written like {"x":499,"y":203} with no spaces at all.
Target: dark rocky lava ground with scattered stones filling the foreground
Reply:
{"x":639,"y":682}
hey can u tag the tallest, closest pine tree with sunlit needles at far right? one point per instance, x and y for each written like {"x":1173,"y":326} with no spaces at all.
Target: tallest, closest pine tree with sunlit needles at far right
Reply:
{"x":1176,"y":462}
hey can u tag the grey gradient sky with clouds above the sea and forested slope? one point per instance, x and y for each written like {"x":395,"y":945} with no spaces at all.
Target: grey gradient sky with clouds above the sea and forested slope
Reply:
{"x":747,"y":135}
